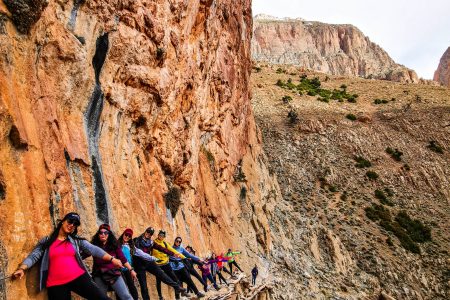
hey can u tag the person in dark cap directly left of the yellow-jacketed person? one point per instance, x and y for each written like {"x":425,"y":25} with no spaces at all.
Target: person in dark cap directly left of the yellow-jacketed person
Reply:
{"x":145,"y":243}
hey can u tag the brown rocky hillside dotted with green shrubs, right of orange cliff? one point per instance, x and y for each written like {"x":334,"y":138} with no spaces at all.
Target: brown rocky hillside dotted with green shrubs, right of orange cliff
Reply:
{"x":347,"y":168}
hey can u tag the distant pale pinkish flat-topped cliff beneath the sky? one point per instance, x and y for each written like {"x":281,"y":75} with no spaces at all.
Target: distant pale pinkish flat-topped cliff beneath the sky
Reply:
{"x":332,"y":49}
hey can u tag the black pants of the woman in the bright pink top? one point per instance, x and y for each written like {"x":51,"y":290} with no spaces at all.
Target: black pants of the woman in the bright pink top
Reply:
{"x":83,"y":286}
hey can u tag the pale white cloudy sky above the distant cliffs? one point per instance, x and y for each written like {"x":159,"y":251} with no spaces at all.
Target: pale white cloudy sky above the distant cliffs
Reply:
{"x":414,"y":33}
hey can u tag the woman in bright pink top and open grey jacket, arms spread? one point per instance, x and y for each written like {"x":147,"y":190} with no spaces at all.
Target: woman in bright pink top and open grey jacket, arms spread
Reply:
{"x":62,"y":269}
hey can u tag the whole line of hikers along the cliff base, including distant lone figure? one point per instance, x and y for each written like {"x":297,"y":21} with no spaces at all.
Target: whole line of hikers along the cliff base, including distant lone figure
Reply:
{"x":117,"y":262}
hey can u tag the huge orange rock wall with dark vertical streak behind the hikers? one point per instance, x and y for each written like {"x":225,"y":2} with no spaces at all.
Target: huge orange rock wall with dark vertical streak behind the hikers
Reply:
{"x":135,"y":113}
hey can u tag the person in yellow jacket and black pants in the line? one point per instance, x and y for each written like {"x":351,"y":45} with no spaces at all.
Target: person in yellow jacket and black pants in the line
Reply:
{"x":163,"y":262}
